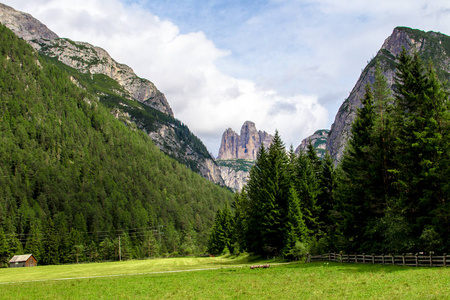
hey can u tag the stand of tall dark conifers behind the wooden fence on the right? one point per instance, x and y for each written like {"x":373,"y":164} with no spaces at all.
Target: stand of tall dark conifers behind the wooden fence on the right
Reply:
{"x":389,"y":194}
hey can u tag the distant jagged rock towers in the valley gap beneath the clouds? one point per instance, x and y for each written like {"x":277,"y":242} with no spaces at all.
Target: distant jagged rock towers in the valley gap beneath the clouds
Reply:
{"x":245,"y":145}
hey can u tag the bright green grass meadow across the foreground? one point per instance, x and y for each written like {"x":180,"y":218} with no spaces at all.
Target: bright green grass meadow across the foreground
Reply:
{"x":232,"y":280}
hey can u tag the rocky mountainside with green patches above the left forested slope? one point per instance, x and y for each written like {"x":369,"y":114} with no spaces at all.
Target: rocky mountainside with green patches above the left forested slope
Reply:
{"x":134,"y":99}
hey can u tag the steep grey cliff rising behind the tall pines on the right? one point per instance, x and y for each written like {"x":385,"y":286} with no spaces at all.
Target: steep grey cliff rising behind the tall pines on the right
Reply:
{"x":430,"y":46}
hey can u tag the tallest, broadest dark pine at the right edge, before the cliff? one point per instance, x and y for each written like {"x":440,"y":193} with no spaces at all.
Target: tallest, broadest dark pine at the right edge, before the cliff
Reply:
{"x":421,"y":148}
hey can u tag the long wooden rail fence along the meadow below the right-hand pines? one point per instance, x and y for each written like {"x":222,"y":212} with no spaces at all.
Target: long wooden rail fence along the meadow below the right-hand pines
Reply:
{"x":417,"y":260}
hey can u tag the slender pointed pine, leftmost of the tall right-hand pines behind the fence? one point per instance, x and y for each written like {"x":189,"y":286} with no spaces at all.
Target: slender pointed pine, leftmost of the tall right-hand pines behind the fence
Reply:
{"x":355,"y":191}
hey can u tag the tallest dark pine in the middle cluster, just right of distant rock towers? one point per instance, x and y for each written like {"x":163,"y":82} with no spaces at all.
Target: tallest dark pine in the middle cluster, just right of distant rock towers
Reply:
{"x":268,"y":192}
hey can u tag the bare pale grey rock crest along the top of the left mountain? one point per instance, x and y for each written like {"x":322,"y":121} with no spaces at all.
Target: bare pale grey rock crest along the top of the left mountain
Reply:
{"x":83,"y":57}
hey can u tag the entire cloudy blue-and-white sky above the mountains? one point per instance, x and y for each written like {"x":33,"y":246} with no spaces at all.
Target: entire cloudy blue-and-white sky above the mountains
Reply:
{"x":283,"y":64}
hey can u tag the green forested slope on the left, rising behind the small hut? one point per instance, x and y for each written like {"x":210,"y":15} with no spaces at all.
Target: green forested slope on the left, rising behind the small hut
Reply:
{"x":74,"y":181}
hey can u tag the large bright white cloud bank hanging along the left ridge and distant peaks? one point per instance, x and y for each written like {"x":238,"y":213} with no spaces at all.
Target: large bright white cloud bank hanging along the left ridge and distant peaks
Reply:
{"x":183,"y":66}
